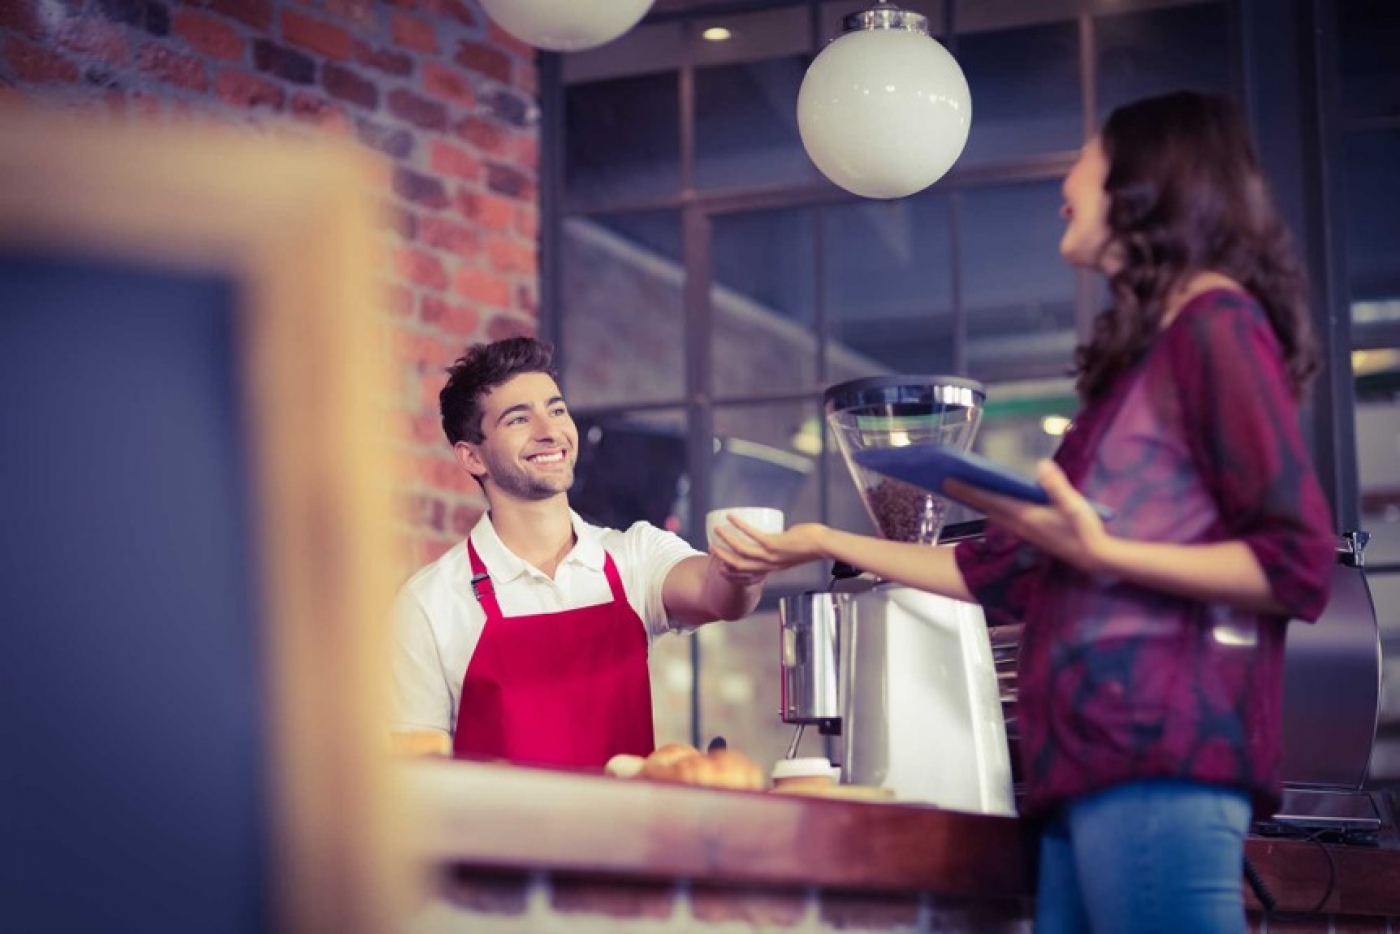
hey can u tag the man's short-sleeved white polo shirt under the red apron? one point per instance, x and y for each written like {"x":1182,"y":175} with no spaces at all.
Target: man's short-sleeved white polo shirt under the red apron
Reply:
{"x":437,"y":620}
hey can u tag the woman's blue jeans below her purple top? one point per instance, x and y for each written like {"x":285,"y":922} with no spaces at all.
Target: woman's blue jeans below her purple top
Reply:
{"x":1144,"y":858}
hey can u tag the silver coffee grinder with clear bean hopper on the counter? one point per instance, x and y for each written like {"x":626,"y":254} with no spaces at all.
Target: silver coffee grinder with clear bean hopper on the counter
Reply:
{"x":904,"y":678}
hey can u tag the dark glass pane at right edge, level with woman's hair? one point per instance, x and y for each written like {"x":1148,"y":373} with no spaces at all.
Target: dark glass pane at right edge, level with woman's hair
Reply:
{"x":1373,"y":229}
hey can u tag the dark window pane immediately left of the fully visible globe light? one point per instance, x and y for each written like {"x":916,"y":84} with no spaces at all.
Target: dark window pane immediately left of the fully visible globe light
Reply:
{"x":747,"y":125}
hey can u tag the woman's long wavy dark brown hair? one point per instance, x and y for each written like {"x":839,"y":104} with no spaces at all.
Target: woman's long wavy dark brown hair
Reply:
{"x":1186,"y":197}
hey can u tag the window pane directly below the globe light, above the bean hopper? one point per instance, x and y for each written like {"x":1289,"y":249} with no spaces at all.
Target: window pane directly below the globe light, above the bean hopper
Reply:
{"x":890,"y":288}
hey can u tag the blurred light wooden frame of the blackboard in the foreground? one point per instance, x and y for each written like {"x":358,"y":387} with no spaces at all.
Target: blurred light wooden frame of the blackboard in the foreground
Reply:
{"x":290,"y":223}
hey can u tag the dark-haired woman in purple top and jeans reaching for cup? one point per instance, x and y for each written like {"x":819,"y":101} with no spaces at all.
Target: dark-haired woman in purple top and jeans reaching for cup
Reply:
{"x":1151,"y":667}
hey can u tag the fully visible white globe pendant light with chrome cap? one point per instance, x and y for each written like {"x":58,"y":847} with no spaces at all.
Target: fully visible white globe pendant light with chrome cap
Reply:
{"x":884,"y":110}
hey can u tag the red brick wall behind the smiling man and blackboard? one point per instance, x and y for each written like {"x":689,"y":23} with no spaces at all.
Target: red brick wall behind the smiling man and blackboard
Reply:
{"x":432,"y":85}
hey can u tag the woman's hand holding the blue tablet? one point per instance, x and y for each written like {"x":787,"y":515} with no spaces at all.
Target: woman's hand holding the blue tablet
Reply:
{"x":1069,"y":529}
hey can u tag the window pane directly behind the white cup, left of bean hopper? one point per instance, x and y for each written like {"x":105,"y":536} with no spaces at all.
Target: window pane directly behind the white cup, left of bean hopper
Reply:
{"x":761,"y":460}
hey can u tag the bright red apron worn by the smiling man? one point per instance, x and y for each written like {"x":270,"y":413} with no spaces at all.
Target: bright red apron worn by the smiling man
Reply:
{"x":556,"y":690}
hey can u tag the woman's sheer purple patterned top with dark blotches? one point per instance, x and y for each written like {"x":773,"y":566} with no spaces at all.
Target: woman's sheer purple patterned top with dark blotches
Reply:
{"x":1199,"y":443}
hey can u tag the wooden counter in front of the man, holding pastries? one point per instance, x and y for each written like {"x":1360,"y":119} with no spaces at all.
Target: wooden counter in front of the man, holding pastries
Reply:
{"x":540,"y":841}
